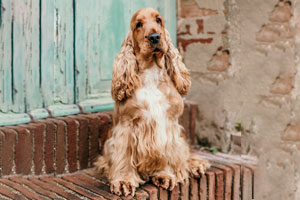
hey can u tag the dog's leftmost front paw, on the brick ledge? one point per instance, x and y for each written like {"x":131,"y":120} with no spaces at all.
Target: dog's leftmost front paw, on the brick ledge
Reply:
{"x":122,"y":188}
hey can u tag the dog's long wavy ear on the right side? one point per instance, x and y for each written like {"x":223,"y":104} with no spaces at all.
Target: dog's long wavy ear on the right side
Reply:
{"x":176,"y":68}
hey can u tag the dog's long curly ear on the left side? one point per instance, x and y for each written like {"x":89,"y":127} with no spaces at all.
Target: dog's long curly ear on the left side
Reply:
{"x":125,"y":78}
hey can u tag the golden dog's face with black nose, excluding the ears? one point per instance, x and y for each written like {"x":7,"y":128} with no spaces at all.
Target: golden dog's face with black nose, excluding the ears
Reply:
{"x":148,"y":32}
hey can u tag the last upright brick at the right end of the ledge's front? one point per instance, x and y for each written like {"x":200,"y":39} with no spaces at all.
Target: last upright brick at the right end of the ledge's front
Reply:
{"x":247,"y":184}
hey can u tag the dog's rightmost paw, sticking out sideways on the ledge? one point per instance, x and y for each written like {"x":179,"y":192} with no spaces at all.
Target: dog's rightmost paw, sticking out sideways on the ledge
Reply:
{"x":198,"y":166}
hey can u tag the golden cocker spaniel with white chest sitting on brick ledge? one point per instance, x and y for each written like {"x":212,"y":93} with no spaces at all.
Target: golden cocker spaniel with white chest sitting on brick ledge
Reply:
{"x":146,"y":140}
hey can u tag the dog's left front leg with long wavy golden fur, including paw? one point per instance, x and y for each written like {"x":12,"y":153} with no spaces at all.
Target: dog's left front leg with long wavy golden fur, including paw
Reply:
{"x":117,"y":162}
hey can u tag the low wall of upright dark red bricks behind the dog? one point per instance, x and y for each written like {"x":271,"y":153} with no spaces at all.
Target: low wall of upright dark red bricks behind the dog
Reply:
{"x":64,"y":144}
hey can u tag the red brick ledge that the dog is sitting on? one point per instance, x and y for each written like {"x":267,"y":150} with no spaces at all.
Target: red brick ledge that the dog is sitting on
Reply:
{"x":230,"y":177}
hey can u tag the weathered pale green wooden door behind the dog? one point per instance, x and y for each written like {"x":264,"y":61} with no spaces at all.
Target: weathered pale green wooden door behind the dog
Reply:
{"x":57,"y":55}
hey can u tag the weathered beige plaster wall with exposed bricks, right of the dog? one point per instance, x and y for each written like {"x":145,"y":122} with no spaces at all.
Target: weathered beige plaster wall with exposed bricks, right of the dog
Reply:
{"x":244,"y":61}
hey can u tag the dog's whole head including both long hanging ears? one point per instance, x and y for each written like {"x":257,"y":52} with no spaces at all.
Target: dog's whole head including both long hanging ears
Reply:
{"x":146,"y":41}
